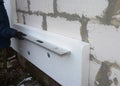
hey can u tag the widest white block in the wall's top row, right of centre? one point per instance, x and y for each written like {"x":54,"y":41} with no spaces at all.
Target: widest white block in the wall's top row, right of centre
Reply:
{"x":90,"y":8}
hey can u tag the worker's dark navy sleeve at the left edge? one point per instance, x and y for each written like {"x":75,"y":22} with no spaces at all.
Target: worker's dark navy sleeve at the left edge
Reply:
{"x":5,"y":30}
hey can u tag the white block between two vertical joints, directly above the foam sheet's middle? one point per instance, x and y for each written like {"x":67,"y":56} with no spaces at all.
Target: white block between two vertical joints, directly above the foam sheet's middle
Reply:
{"x":62,"y":26}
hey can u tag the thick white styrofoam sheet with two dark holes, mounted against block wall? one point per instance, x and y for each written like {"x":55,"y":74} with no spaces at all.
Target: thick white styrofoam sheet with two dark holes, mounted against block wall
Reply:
{"x":69,"y":70}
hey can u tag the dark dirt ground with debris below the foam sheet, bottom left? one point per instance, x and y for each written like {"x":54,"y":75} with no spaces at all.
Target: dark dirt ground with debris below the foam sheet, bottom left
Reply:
{"x":17,"y":75}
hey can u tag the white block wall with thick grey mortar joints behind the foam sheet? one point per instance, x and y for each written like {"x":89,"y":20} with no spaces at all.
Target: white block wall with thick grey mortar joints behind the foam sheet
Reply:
{"x":93,"y":21}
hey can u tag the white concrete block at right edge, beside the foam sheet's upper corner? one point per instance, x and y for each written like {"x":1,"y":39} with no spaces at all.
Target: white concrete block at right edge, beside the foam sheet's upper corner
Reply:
{"x":106,"y":42}
